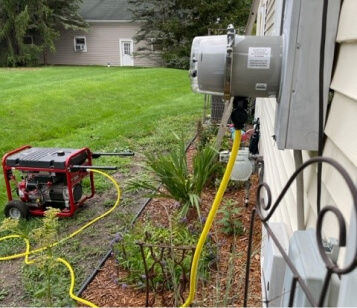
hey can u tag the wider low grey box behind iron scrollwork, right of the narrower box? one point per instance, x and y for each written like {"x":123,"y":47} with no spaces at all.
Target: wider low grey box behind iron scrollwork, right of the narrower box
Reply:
{"x":303,"y":252}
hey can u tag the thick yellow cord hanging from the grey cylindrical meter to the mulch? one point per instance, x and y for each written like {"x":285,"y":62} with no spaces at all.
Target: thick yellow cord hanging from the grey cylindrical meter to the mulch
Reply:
{"x":212,"y":214}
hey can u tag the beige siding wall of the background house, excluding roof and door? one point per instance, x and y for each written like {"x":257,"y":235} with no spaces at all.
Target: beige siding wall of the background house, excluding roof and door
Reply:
{"x":102,"y":46}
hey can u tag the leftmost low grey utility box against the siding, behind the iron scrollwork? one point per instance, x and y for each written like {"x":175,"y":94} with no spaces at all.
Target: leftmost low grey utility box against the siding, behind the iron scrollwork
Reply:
{"x":273,"y":265}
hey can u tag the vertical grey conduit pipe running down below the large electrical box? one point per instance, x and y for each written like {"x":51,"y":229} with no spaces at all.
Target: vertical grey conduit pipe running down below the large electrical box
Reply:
{"x":299,"y":191}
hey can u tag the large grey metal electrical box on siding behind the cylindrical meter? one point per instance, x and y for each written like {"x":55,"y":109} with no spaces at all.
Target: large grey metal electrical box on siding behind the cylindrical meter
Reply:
{"x":297,"y":112}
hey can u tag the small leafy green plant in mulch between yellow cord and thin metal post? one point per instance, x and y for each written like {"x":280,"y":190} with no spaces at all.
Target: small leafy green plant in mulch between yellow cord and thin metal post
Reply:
{"x":231,"y":225}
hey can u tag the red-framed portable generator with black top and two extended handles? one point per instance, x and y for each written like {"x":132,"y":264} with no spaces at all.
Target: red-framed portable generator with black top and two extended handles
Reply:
{"x":49,"y":177}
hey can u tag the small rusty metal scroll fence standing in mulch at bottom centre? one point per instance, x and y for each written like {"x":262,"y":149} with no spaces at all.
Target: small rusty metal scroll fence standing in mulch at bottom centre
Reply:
{"x":160,"y":255}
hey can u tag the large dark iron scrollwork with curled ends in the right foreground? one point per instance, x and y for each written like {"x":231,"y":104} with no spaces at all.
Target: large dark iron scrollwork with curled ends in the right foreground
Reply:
{"x":331,"y":267}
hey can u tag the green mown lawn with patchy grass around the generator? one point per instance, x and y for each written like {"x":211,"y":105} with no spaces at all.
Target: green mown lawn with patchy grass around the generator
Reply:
{"x":106,"y":109}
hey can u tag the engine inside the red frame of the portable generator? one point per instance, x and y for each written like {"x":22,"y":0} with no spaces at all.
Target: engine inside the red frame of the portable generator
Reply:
{"x":45,"y":188}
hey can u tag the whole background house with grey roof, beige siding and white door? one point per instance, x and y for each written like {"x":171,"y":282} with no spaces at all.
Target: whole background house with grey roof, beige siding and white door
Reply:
{"x":109,"y":40}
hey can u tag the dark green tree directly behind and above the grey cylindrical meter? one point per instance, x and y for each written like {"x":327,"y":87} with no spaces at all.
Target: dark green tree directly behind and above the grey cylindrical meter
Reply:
{"x":171,"y":25}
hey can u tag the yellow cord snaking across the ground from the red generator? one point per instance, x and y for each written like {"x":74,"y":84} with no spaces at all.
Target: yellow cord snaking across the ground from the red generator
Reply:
{"x":29,"y":252}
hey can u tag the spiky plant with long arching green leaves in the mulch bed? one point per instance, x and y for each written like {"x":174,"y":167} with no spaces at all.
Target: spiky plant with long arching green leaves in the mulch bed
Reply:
{"x":172,"y":172}
